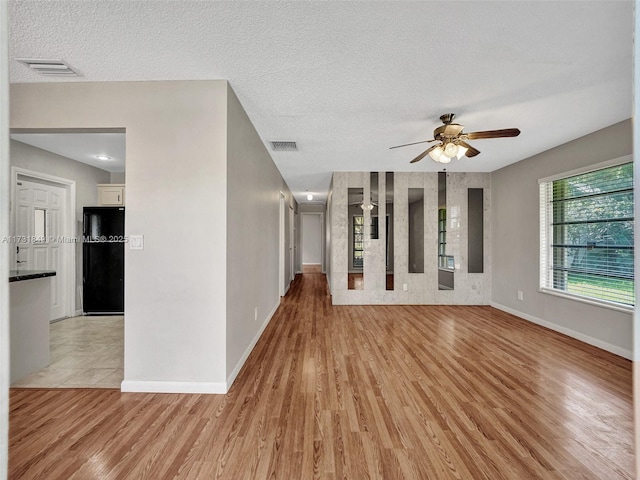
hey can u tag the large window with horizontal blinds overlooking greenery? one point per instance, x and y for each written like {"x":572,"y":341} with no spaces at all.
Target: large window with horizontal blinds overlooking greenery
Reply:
{"x":586,"y":245}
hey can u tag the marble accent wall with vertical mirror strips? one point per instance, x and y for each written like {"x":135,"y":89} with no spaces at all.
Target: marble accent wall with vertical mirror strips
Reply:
{"x":421,"y":288}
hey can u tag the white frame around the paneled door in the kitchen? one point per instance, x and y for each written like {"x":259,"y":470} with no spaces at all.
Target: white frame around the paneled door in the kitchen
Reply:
{"x":68,"y":230}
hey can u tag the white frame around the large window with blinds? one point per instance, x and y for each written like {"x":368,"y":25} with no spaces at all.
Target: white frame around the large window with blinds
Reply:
{"x":546,"y":236}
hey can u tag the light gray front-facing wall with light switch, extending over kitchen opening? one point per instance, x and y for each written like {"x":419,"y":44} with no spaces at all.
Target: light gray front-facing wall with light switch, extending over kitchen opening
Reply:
{"x":175,"y":289}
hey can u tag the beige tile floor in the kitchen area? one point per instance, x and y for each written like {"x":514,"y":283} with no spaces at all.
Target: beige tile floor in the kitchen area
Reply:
{"x":86,"y":351}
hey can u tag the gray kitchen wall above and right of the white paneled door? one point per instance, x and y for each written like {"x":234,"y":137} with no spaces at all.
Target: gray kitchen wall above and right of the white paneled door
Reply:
{"x":85,"y":176}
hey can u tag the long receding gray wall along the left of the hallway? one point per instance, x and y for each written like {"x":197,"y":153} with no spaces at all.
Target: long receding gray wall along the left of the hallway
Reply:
{"x":252,"y":264}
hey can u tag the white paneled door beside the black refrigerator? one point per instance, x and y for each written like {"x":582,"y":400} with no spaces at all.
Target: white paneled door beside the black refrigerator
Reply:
{"x":39,"y":223}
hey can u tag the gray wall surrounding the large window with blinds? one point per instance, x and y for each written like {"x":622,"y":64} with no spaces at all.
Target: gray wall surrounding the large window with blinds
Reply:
{"x":515,"y":245}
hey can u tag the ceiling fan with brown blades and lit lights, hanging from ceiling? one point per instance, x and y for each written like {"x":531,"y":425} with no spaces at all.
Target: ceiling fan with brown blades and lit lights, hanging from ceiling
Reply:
{"x":453,"y":141}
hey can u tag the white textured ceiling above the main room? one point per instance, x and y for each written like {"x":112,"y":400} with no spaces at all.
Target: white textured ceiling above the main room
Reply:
{"x":347,"y":80}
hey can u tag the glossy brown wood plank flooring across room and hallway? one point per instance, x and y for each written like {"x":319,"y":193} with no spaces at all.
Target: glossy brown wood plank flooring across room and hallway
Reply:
{"x":357,"y":392}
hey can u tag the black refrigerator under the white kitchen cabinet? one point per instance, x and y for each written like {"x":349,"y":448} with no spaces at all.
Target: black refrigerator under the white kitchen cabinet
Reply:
{"x":103,"y":260}
